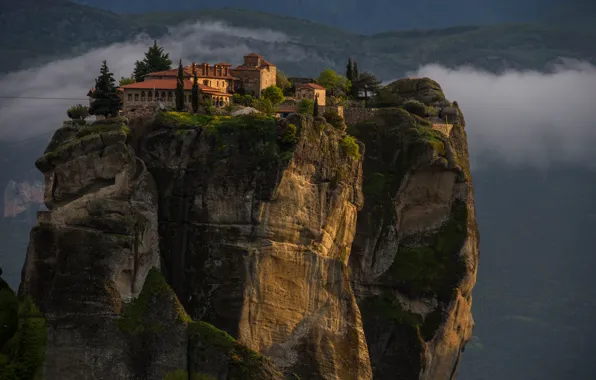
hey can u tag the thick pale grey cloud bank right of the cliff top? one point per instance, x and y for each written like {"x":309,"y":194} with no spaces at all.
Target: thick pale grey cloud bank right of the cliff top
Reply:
{"x":525,"y":117}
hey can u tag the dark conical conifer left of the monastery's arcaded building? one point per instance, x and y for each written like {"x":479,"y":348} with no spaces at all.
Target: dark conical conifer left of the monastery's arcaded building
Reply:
{"x":106,"y":101}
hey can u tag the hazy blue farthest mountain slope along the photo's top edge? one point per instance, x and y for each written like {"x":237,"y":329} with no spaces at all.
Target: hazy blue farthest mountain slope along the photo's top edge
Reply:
{"x":365,"y":16}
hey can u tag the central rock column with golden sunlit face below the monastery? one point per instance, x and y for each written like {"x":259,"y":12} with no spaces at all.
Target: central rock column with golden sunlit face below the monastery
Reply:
{"x":256,"y":223}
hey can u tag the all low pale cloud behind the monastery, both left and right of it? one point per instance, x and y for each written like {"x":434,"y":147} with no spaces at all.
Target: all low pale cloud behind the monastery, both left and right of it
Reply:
{"x":518,"y":117}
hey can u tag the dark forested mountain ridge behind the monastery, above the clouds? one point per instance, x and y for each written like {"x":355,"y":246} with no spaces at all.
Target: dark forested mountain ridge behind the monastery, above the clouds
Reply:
{"x":38,"y":31}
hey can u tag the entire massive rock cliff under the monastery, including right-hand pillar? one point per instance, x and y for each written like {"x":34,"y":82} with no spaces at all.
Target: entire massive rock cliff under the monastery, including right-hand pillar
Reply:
{"x":181,"y":246}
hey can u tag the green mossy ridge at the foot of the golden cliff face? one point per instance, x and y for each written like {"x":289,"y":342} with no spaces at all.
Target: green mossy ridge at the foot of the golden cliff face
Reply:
{"x":157,"y":313}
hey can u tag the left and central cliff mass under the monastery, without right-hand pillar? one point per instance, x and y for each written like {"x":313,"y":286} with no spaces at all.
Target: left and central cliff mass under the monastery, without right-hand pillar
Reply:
{"x":256,"y":221}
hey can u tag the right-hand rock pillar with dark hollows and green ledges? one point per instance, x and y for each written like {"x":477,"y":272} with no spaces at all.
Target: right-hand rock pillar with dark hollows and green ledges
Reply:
{"x":415,"y":252}
